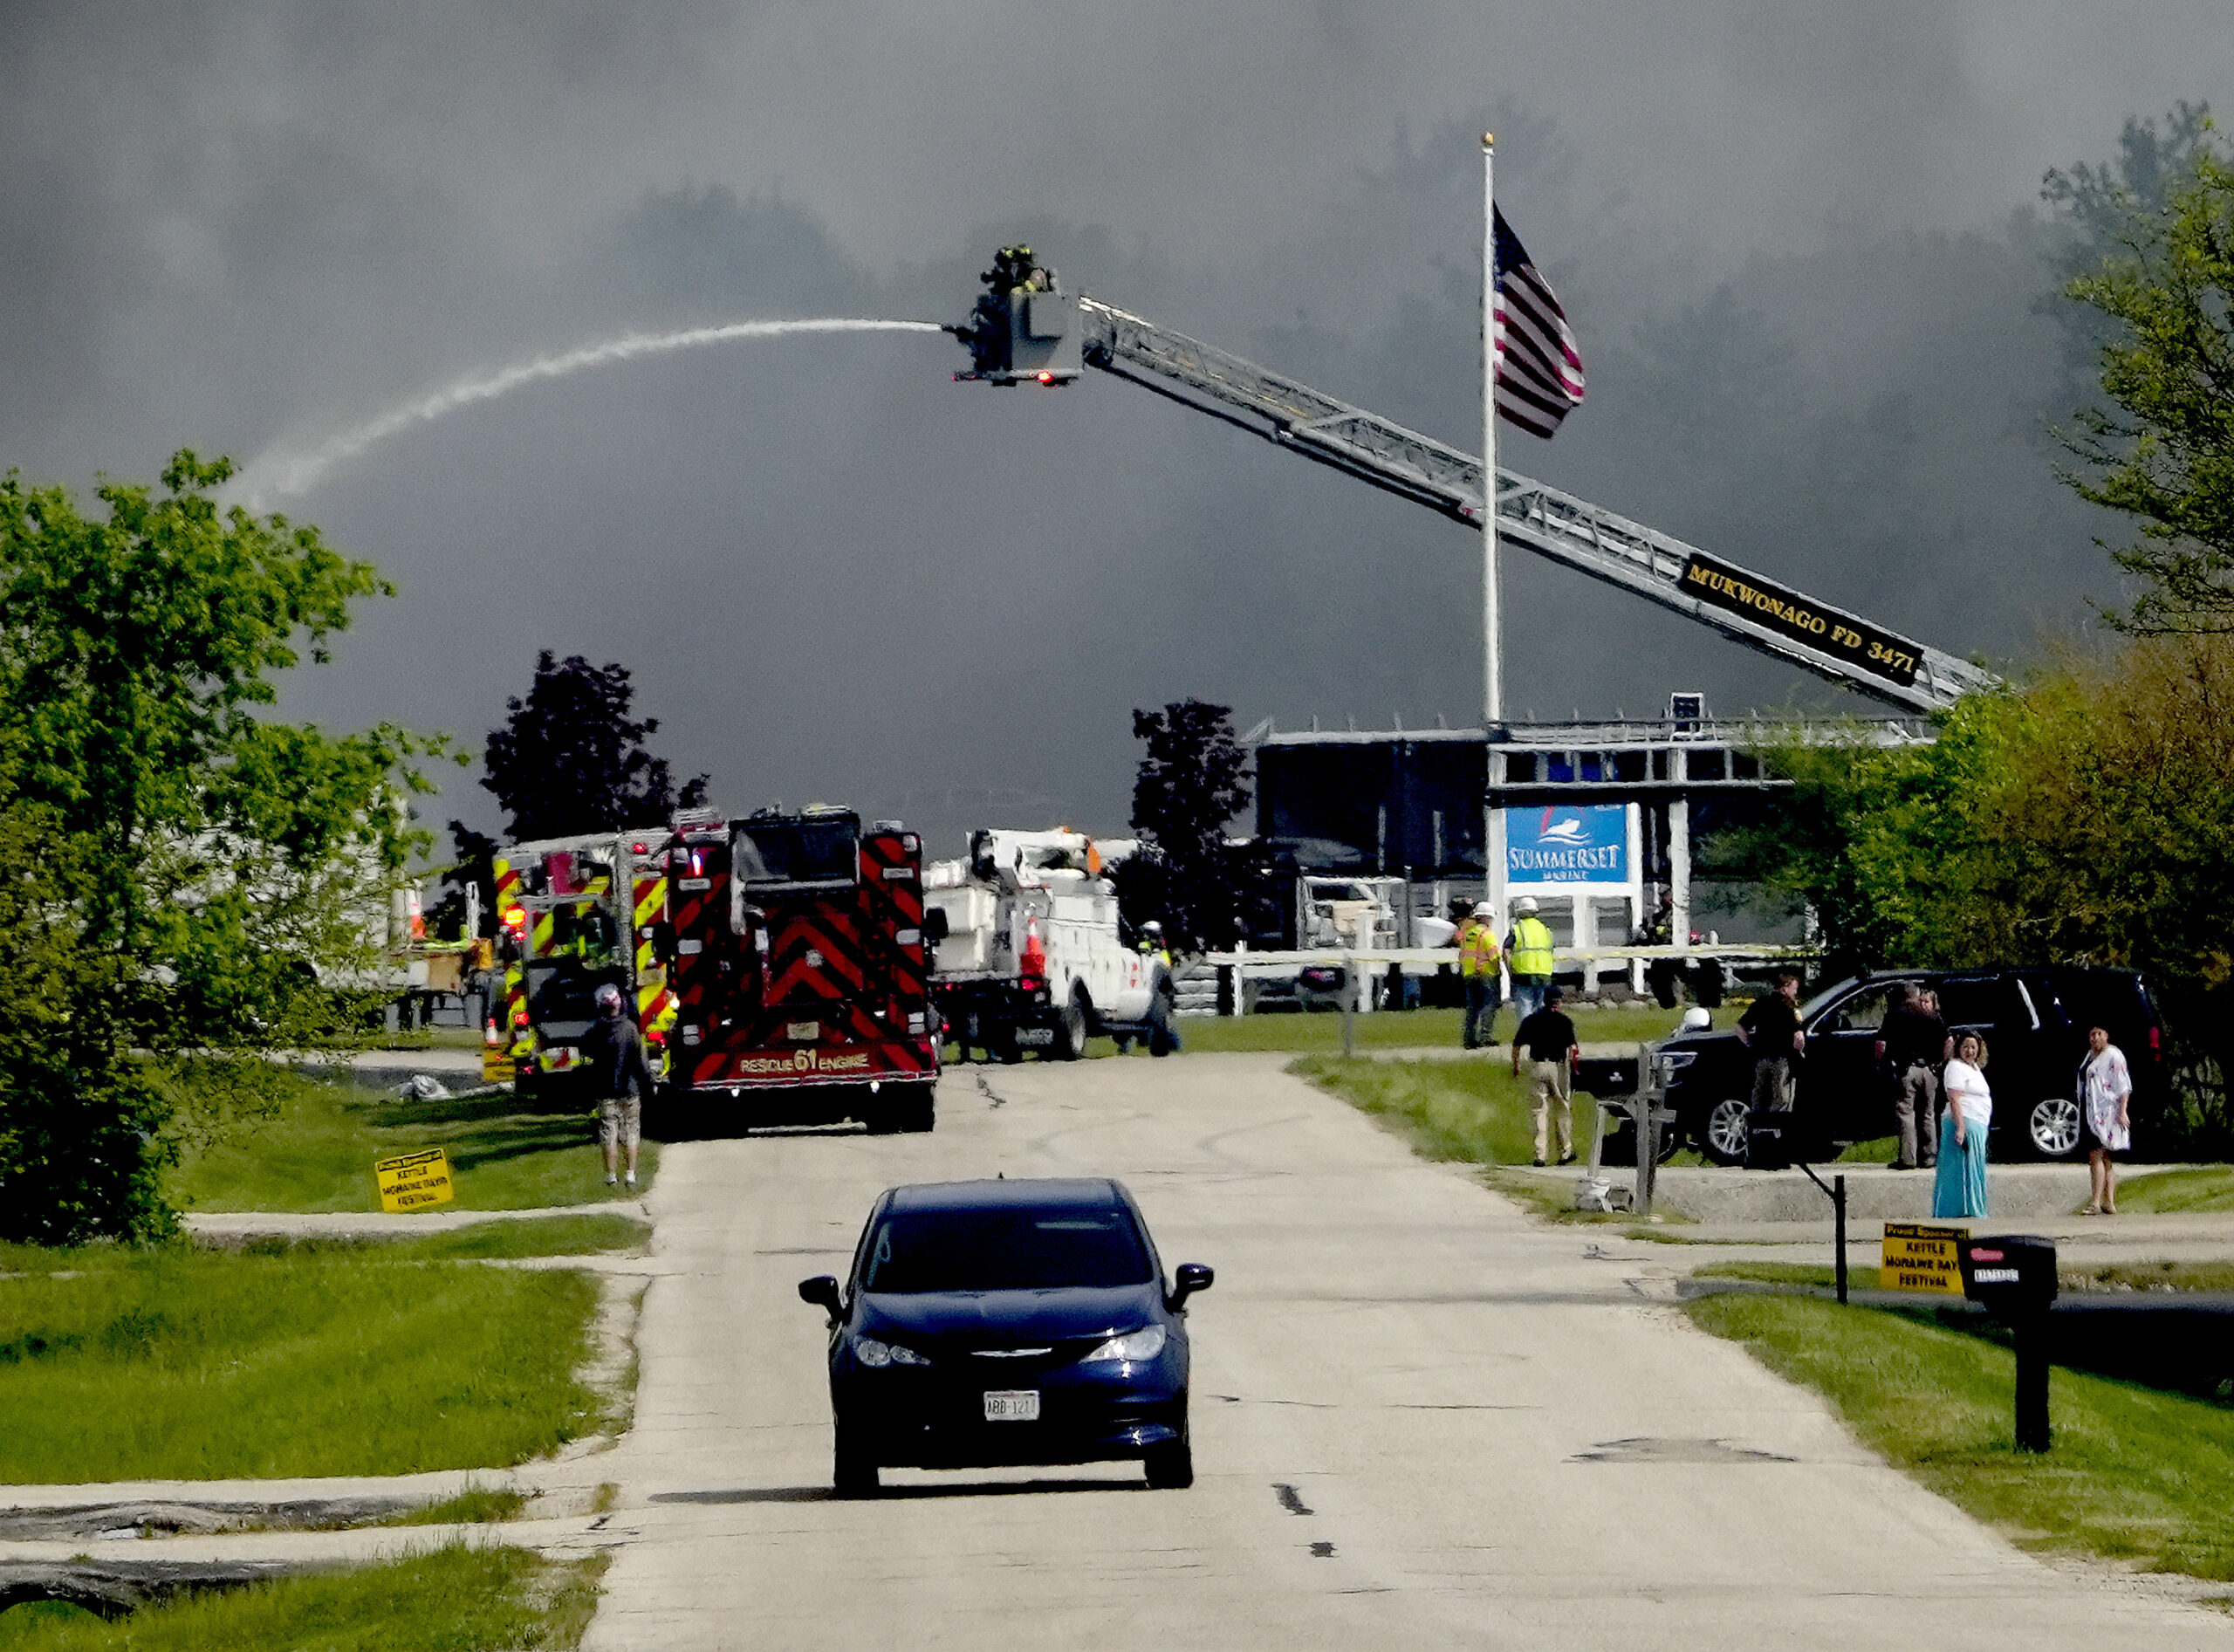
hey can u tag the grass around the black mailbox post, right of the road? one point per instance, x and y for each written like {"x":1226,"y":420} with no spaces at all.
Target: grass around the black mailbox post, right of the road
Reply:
{"x":2137,"y":1477}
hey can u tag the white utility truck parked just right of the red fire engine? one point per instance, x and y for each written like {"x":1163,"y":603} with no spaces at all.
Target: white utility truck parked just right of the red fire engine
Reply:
{"x":1033,"y":953}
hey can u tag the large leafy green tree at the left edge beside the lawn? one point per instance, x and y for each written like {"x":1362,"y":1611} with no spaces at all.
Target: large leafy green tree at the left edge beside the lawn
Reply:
{"x":191,"y":884}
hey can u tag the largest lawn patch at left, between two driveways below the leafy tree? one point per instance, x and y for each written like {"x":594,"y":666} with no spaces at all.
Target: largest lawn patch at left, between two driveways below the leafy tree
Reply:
{"x":157,"y":1365}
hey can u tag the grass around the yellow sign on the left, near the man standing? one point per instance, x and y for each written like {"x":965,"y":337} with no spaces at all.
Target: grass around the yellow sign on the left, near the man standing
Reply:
{"x":321,"y":1148}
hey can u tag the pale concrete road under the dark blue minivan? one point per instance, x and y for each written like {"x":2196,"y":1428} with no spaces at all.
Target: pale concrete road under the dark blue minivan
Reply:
{"x":1420,"y":1421}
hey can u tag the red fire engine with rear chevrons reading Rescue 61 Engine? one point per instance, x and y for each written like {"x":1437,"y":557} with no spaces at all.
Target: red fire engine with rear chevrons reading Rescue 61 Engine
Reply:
{"x":801,"y":971}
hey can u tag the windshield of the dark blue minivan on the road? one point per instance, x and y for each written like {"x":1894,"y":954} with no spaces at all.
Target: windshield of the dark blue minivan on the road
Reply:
{"x":1009,"y":1249}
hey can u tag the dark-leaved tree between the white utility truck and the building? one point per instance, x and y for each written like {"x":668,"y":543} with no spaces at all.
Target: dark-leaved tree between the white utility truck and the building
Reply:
{"x":1192,"y":781}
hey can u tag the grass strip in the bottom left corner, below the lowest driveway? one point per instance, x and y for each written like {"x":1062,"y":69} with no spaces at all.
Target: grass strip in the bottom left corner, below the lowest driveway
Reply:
{"x":455,"y":1599}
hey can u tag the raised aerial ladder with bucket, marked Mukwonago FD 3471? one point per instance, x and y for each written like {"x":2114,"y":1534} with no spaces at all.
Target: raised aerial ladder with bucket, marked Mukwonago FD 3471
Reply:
{"x":1029,"y":332}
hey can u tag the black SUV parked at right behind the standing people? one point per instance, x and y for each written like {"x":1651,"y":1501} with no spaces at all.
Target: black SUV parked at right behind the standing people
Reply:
{"x":2036,"y":1034}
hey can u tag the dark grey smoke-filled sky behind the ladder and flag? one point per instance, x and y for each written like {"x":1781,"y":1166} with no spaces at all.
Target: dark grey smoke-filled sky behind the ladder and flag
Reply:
{"x":1799,"y":245}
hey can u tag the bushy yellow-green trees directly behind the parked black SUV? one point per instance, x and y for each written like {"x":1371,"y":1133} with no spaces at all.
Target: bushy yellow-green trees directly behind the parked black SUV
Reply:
{"x":2079,"y":817}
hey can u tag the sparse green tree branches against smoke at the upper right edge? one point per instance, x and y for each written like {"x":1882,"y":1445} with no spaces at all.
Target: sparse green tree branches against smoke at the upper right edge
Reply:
{"x":2159,"y":446}
